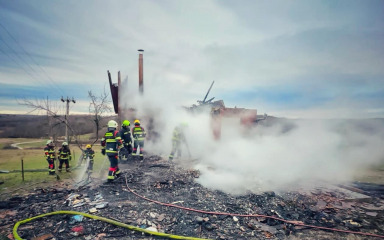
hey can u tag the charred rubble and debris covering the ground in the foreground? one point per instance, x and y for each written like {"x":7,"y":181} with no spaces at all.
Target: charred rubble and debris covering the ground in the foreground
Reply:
{"x":160,"y":181}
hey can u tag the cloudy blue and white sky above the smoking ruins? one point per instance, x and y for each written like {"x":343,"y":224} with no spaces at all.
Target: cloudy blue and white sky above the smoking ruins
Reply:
{"x":305,"y":59}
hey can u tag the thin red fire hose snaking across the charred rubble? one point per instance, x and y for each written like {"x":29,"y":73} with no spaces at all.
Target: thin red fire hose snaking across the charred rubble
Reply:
{"x":297,"y":223}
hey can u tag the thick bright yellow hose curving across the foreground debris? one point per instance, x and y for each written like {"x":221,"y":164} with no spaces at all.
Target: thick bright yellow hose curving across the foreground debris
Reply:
{"x":120,"y":224}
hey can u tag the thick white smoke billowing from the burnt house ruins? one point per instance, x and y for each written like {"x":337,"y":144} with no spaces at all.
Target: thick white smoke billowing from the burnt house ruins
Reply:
{"x":269,"y":156}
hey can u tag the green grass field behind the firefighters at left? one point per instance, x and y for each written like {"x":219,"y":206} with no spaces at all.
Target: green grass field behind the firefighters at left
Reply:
{"x":34,"y":158}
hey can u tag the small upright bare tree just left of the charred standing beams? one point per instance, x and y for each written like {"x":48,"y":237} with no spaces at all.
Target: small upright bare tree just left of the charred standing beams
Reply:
{"x":98,"y":107}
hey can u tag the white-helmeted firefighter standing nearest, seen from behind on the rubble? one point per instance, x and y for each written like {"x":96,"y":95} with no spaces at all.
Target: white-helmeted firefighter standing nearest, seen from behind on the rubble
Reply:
{"x":111,"y":142}
